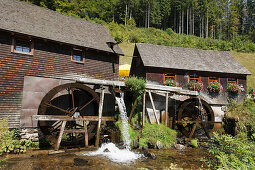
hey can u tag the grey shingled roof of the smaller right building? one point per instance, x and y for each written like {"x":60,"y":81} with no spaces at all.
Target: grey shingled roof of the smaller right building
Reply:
{"x":189,"y":59}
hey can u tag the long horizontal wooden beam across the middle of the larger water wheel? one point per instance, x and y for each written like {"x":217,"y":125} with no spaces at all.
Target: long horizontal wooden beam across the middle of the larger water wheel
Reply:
{"x":67,"y":118}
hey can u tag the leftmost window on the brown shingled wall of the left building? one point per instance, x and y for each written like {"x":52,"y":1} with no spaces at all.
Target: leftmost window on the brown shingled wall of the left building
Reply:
{"x":22,"y":45}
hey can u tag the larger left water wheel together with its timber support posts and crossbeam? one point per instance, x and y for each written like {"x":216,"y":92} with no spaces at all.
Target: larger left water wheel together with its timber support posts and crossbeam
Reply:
{"x":74,"y":109}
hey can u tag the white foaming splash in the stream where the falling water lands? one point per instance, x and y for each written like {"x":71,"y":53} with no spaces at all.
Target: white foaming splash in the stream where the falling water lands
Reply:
{"x":115,"y":154}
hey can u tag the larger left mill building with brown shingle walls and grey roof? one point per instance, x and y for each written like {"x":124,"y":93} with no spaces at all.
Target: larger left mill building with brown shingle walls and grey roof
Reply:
{"x":41,"y":49}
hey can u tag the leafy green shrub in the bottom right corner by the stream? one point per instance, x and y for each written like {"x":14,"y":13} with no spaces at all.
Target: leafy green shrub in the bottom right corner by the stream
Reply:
{"x":231,"y":153}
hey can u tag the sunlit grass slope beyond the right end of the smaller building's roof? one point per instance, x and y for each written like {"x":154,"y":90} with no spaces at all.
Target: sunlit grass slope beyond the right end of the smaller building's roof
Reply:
{"x":248,"y":61}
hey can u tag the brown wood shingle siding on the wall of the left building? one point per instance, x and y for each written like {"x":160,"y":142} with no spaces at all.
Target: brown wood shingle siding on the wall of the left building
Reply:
{"x":50,"y":59}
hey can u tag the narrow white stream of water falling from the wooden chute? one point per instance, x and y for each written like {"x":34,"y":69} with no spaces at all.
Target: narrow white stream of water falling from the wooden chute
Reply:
{"x":124,"y":120}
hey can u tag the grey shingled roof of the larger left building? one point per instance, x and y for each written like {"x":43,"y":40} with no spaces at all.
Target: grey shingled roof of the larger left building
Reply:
{"x":28,"y":19}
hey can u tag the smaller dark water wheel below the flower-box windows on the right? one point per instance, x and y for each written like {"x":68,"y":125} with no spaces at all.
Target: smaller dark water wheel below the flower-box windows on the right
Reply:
{"x":195,"y":118}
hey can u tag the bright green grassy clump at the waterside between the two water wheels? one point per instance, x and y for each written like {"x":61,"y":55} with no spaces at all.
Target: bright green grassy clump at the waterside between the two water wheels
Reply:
{"x":152,"y":133}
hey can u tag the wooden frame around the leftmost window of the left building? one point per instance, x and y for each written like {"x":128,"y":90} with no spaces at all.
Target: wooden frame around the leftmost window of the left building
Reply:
{"x":22,"y":38}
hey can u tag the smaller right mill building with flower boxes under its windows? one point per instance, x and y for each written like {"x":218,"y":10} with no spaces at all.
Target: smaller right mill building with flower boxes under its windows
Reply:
{"x":158,"y":63}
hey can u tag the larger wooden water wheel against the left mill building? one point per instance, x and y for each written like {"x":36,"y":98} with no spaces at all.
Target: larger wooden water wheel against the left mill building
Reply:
{"x":72,"y":100}
